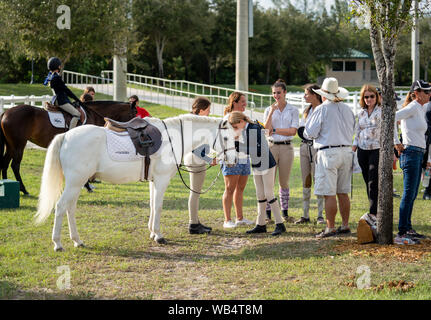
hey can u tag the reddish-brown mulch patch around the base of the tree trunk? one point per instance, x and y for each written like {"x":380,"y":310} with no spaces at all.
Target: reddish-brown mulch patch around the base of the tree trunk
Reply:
{"x":405,"y":253}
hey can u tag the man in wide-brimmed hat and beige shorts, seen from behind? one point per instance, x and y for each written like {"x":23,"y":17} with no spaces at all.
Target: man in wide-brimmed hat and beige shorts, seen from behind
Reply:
{"x":331,"y":126}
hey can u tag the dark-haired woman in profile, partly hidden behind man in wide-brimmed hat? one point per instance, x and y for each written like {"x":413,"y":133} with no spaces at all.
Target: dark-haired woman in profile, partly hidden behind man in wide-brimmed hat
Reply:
{"x":307,"y":157}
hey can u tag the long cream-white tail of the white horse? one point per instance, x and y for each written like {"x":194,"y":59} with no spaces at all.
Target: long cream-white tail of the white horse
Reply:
{"x":52,"y":180}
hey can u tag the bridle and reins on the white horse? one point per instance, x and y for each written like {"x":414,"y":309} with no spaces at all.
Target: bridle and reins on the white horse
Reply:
{"x":180,"y":164}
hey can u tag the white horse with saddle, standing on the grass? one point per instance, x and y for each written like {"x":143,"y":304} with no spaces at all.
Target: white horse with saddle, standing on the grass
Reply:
{"x":82,"y":152}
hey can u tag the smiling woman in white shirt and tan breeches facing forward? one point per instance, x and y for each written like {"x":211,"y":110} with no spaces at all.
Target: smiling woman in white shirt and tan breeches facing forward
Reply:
{"x":282,"y":121}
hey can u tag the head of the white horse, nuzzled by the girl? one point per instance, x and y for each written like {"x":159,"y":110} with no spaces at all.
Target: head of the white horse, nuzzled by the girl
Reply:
{"x":224,"y":143}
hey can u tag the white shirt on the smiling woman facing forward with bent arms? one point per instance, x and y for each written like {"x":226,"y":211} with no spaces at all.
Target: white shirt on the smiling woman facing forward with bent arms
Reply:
{"x":288,"y":118}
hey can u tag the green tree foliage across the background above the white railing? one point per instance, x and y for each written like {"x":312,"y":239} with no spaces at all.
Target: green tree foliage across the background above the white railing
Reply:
{"x":190,"y":39}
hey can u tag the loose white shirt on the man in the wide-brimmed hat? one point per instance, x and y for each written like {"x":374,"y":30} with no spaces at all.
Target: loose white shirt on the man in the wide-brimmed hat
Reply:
{"x":331,"y":124}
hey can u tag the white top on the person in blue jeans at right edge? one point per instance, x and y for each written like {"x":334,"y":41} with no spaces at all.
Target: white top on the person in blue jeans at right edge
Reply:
{"x":413,"y":125}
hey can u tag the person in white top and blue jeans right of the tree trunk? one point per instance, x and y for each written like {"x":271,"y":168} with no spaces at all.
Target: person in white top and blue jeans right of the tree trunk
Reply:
{"x":413,"y":129}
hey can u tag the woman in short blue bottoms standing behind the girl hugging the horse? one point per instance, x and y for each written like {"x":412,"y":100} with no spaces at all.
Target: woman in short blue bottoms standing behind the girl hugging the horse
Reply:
{"x":236,"y":177}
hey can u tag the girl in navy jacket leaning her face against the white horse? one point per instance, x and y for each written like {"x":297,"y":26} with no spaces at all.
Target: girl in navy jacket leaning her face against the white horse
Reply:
{"x":263,"y":165}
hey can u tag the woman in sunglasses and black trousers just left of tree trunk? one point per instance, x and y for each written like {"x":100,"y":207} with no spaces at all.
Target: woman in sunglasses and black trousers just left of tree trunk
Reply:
{"x":367,"y":144}
